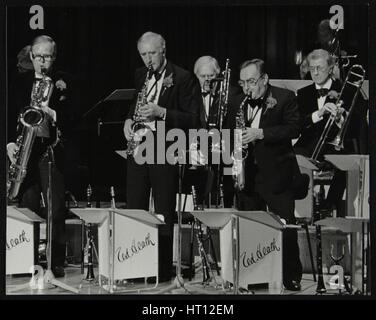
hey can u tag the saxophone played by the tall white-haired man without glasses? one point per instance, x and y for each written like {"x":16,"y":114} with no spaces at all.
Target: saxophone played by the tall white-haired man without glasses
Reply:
{"x":139,"y":128}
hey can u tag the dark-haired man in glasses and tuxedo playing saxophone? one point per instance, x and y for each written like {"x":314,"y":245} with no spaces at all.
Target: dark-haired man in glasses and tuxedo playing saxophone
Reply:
{"x":271,"y":120}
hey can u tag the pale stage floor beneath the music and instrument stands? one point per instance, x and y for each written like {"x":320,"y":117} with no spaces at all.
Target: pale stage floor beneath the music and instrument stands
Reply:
{"x":19,"y":285}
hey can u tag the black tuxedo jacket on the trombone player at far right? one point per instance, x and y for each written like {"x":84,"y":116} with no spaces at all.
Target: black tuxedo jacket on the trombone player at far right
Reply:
{"x":356,"y":137}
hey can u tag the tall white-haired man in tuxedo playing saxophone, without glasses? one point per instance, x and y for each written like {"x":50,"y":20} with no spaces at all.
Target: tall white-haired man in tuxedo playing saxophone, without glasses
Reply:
{"x":169,"y":93}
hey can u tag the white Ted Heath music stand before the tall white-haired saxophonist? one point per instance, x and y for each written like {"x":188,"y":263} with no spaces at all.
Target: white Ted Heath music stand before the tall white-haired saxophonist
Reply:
{"x":109,"y":220}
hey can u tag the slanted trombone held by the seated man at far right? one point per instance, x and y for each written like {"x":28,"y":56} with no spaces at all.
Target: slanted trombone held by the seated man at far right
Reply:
{"x":354,"y":78}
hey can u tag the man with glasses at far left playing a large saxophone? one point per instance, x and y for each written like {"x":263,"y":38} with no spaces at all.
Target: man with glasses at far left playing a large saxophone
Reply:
{"x":48,"y":93}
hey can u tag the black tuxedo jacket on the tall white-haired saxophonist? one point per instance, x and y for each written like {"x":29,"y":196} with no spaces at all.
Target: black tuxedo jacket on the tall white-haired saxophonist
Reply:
{"x":180,"y":97}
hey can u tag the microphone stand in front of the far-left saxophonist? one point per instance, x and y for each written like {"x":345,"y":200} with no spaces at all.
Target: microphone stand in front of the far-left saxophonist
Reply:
{"x":49,"y":278}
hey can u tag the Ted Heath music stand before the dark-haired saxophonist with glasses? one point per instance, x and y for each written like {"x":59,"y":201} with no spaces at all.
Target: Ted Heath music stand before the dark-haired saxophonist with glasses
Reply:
{"x":231,"y":224}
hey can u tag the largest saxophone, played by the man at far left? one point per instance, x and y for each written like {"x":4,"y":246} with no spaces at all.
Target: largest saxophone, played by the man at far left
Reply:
{"x":31,"y":119}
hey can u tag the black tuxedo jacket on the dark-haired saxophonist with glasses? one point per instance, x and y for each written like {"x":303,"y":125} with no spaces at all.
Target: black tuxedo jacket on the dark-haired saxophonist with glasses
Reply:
{"x":274,"y":154}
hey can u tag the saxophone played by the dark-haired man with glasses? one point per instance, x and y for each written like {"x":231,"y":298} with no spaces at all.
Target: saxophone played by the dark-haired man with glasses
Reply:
{"x":240,"y":152}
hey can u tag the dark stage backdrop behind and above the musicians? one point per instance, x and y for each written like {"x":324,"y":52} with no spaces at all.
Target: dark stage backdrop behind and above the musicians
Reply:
{"x":97,"y":44}
